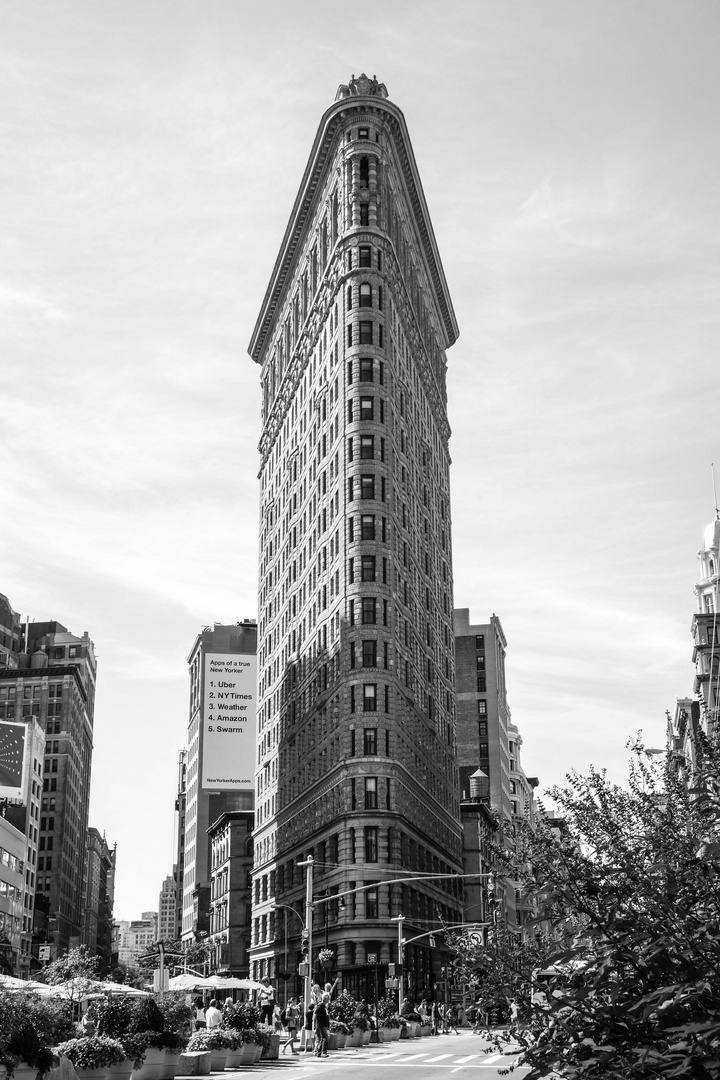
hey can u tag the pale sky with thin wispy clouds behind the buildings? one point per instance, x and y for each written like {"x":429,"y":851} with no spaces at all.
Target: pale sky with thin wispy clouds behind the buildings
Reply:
{"x":150,"y":157}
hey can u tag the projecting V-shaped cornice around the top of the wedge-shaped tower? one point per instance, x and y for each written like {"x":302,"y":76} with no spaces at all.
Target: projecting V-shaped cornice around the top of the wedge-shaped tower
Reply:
{"x":319,"y":165}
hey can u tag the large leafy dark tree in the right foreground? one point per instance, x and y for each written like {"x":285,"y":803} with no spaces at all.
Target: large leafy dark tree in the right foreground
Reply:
{"x":632,"y":887}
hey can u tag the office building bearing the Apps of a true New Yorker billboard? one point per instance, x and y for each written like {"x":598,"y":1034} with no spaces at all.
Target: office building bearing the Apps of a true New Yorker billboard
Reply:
{"x":216,"y":775}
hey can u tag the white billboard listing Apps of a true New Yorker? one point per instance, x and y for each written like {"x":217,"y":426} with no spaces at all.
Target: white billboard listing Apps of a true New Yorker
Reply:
{"x":229,"y":722}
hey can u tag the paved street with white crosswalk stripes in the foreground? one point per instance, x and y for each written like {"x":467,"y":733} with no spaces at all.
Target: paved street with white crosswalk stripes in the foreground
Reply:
{"x":466,"y":1057}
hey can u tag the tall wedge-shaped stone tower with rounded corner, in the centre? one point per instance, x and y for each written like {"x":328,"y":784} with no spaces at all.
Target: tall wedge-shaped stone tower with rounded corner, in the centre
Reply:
{"x":357,"y":735}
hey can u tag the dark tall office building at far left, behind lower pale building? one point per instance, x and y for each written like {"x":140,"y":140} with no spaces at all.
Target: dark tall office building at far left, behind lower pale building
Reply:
{"x":48,"y":680}
